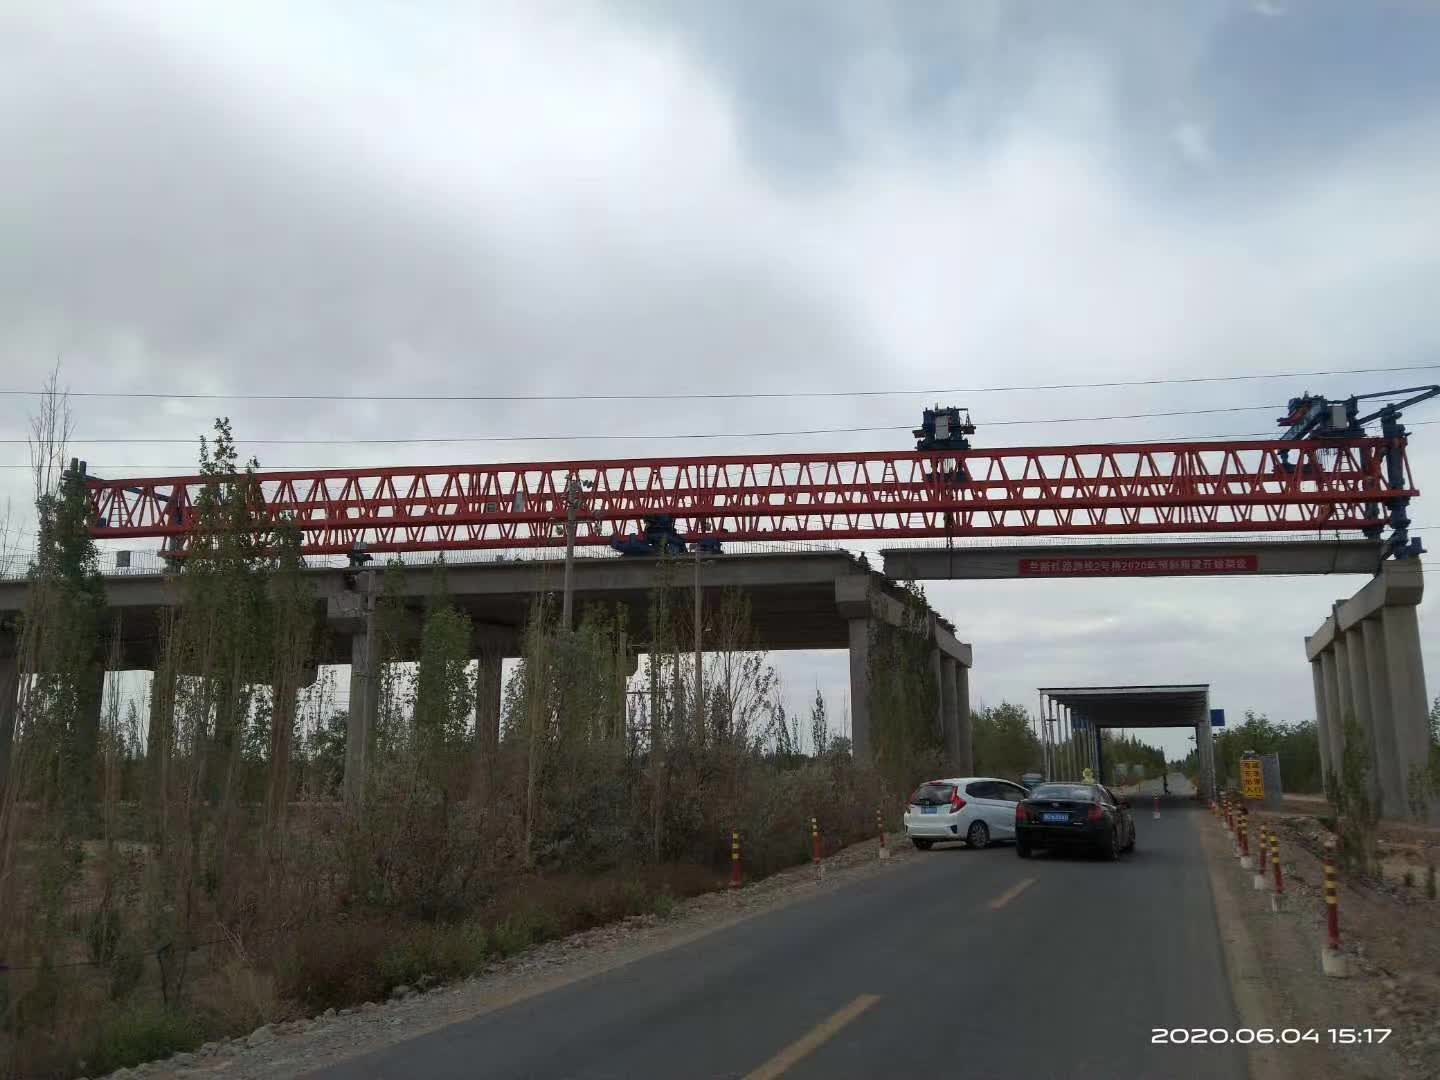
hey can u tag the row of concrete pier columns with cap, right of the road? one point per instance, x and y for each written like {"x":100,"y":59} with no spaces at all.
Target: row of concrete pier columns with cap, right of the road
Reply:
{"x":1367,"y":666}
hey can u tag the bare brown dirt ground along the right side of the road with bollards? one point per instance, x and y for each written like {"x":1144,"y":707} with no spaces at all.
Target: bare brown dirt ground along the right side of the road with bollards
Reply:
{"x":1390,"y":935}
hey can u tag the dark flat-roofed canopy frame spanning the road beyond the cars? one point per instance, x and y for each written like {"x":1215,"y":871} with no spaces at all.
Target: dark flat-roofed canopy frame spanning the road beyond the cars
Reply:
{"x":1072,"y":721}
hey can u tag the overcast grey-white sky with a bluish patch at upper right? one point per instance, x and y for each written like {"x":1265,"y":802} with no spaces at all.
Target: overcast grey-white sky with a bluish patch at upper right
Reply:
{"x":567,"y":198}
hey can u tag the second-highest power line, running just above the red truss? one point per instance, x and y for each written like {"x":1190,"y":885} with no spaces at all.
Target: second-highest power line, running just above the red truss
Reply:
{"x":649,"y":437}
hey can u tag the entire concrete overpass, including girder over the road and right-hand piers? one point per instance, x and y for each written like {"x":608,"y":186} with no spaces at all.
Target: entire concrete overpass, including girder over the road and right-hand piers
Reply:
{"x":1366,"y":659}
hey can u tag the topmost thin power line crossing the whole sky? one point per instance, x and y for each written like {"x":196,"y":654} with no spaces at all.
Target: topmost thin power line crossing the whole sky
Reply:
{"x":699,"y":397}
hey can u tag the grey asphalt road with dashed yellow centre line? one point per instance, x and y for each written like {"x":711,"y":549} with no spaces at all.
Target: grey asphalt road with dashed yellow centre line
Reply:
{"x":957,"y":964}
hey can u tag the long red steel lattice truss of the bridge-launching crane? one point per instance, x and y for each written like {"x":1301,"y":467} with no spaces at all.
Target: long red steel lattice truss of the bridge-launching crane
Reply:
{"x":1138,"y":489}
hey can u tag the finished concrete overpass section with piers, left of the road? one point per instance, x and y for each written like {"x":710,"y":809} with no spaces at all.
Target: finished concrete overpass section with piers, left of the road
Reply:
{"x":798,"y":601}
